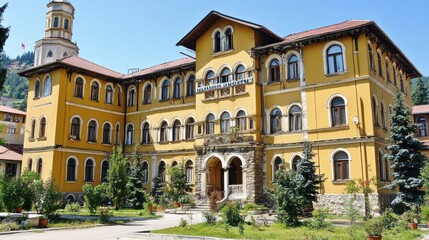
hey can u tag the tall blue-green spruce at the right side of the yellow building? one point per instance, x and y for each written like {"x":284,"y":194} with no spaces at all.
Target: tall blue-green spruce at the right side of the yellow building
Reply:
{"x":404,"y":152}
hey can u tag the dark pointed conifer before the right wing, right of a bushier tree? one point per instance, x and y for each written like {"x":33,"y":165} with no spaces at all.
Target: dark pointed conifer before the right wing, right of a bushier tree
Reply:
{"x":307,"y":169}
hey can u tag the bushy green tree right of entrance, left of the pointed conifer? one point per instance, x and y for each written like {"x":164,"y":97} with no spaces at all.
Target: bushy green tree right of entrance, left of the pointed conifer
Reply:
{"x":286,"y":193}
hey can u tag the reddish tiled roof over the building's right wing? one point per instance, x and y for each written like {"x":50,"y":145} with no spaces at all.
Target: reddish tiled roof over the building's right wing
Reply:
{"x":326,"y":30}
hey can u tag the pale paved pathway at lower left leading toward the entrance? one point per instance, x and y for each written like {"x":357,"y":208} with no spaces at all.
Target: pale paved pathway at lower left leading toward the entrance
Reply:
{"x":109,"y":232}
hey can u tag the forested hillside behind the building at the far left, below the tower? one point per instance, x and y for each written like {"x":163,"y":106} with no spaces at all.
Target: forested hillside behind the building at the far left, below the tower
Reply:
{"x":16,"y":87}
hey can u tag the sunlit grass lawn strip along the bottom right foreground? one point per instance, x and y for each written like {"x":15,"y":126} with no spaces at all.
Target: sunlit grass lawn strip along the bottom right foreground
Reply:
{"x":277,"y":231}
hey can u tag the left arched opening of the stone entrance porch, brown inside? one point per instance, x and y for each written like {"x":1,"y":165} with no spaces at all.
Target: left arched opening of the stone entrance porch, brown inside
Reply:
{"x":215,"y":178}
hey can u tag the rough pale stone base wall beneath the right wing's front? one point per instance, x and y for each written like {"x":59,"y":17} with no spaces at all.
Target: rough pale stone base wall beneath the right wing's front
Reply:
{"x":337,"y":203}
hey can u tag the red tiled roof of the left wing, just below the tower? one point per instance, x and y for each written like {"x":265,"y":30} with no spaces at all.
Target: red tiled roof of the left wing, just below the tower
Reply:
{"x":90,"y":66}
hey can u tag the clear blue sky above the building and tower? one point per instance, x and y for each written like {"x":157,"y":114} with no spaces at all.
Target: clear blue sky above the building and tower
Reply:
{"x":137,"y":34}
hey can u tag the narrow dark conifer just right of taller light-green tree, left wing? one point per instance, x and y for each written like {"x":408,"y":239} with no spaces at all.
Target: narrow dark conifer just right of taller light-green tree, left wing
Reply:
{"x":136,"y":185}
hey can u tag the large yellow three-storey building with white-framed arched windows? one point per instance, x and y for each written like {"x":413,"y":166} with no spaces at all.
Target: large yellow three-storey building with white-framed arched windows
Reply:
{"x":232,"y":115}
